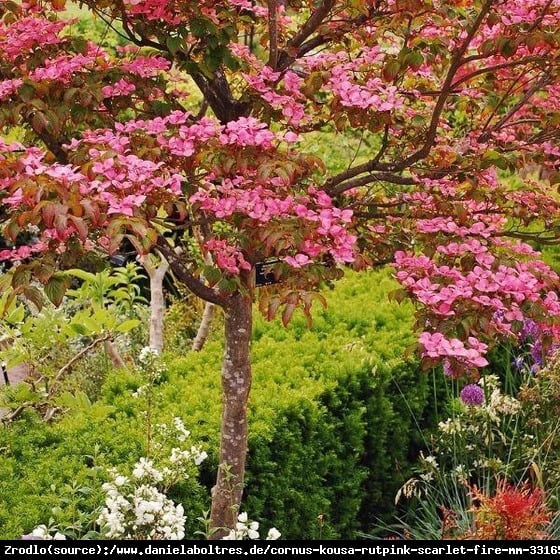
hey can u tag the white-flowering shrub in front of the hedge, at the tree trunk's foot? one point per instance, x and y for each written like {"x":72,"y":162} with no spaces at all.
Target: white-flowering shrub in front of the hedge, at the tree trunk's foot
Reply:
{"x":137,"y":505}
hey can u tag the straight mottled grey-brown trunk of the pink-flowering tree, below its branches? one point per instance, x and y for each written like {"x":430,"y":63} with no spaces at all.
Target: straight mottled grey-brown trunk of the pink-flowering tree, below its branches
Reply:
{"x":236,"y":383}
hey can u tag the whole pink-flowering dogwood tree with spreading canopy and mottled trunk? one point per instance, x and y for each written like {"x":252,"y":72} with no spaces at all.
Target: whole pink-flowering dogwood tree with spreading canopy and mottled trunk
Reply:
{"x":443,"y":102}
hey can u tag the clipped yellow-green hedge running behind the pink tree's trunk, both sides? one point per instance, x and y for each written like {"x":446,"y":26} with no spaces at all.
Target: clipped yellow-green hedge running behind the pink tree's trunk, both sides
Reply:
{"x":332,"y":423}
